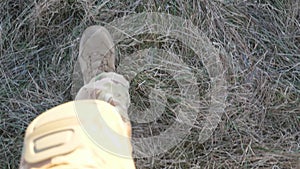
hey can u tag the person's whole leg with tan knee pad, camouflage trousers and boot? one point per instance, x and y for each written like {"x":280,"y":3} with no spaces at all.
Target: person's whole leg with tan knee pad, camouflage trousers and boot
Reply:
{"x":58,"y":138}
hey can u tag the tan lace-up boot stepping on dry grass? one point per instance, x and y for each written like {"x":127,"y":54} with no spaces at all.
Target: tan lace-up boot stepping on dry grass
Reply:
{"x":96,"y":52}
